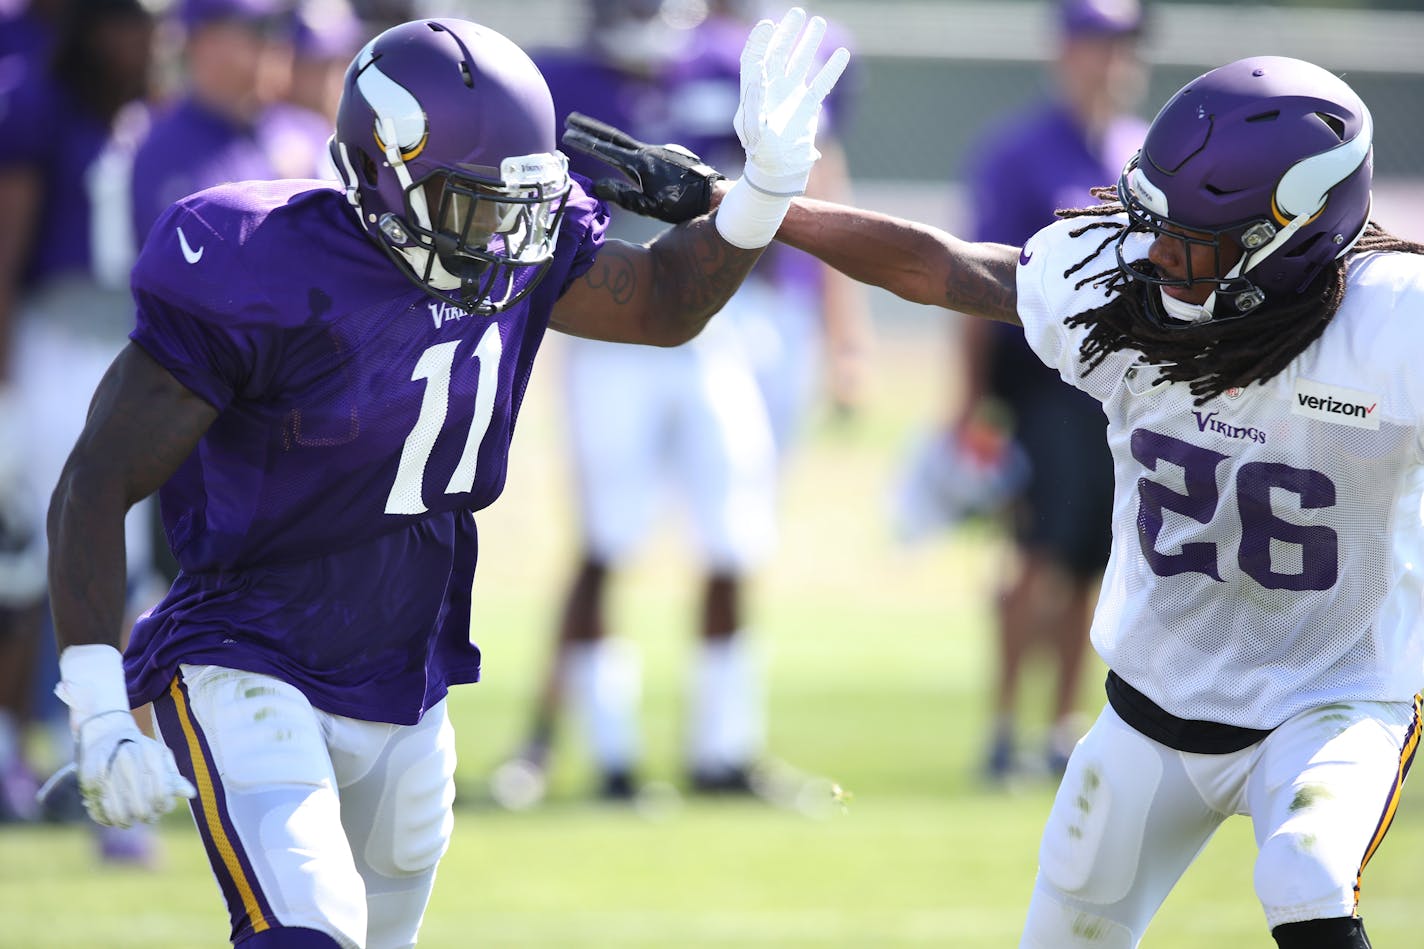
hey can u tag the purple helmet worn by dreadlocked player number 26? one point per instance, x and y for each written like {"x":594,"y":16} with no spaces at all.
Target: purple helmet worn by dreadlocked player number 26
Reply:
{"x":1269,"y":153}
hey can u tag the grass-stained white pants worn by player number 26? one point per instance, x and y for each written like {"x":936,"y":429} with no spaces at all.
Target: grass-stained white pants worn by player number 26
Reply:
{"x":1133,"y":814}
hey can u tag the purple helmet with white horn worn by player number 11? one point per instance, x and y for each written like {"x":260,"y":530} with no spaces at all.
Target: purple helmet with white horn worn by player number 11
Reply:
{"x":445,"y":140}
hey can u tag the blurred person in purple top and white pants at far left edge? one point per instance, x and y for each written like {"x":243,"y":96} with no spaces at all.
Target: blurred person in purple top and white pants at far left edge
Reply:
{"x":62,"y":321}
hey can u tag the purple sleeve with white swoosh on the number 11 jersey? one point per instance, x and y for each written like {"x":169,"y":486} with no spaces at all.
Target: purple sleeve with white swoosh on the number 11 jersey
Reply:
{"x":199,"y":314}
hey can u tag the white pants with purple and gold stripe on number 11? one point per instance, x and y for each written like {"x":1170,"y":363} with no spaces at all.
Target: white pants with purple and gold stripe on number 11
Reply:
{"x":313,"y":820}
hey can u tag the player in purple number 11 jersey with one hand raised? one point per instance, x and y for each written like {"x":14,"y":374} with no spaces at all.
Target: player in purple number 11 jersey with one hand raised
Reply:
{"x":323,"y":387}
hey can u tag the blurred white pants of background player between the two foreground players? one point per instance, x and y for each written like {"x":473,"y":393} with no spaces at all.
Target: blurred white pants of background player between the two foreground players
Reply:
{"x":687,"y":422}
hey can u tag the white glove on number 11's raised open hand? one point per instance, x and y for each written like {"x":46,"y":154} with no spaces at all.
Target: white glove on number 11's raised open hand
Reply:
{"x":777,"y":123}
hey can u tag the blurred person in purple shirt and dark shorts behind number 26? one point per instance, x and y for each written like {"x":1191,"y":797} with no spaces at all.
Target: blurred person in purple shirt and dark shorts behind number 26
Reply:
{"x":1025,"y":169}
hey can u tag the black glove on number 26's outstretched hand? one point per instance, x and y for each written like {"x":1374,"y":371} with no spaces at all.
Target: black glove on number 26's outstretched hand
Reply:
{"x":669,"y":183}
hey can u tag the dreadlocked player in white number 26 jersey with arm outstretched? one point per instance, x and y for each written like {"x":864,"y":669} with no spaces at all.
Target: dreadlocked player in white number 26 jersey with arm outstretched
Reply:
{"x":1254,"y":338}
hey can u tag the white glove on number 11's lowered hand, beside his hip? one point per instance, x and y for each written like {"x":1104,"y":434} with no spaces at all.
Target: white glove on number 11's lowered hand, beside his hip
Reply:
{"x":125,"y":776}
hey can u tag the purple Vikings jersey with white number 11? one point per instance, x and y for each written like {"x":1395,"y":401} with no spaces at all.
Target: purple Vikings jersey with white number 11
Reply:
{"x":324,"y":524}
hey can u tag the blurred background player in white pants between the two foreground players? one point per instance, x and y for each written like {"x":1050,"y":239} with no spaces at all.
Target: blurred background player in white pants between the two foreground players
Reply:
{"x":707,"y":422}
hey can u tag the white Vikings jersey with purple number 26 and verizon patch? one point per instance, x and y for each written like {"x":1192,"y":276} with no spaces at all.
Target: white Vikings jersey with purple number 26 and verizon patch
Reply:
{"x":1279,"y":545}
